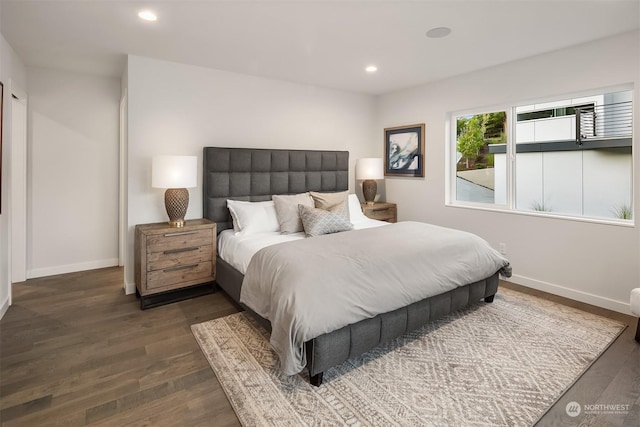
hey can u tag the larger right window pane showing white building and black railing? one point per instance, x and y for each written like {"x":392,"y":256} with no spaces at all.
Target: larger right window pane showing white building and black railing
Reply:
{"x":578,"y":161}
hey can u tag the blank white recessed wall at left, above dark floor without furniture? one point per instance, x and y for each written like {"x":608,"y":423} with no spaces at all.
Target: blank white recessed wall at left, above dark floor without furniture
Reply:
{"x":72,"y":222}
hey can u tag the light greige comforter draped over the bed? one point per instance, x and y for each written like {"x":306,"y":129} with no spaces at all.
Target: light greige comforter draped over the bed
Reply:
{"x":313,"y":286}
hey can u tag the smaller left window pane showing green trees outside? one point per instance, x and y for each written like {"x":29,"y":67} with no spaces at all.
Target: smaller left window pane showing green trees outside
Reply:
{"x":481,"y":158}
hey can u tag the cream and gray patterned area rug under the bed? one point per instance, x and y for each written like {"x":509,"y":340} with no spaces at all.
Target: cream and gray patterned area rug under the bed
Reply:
{"x":499,"y":364}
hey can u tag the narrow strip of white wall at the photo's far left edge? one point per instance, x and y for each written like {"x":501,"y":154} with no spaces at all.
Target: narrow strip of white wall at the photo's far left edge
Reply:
{"x":12,"y":72}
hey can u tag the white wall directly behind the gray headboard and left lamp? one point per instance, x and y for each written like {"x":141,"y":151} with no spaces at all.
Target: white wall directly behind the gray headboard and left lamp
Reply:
{"x":179,"y":109}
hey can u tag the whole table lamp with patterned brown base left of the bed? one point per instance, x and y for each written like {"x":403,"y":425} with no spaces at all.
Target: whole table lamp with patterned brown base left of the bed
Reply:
{"x":176,"y":174}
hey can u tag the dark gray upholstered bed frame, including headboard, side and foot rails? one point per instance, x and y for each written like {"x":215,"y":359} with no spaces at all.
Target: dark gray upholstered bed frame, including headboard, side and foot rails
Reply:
{"x":257,"y":174}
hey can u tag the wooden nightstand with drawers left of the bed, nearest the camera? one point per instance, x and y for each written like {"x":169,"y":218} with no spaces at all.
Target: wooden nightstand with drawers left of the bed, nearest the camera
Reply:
{"x":171,"y":262}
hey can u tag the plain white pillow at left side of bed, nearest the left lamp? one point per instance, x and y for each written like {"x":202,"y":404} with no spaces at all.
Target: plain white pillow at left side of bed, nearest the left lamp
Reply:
{"x":253,"y":217}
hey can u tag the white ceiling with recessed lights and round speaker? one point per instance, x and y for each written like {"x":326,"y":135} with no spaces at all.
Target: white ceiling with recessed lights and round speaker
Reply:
{"x":323,"y":43}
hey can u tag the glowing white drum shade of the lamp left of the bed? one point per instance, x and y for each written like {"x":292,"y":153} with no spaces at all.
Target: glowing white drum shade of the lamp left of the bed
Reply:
{"x":174,"y":171}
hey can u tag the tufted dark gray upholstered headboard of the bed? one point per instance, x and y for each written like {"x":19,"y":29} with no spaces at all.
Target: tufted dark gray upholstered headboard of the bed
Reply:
{"x":256,"y":174}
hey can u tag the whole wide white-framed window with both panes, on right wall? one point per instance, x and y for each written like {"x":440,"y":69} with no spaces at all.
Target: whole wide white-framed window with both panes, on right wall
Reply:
{"x":571,"y":157}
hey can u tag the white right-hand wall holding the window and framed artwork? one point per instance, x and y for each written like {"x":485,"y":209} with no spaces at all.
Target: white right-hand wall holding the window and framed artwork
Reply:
{"x":590,"y":262}
